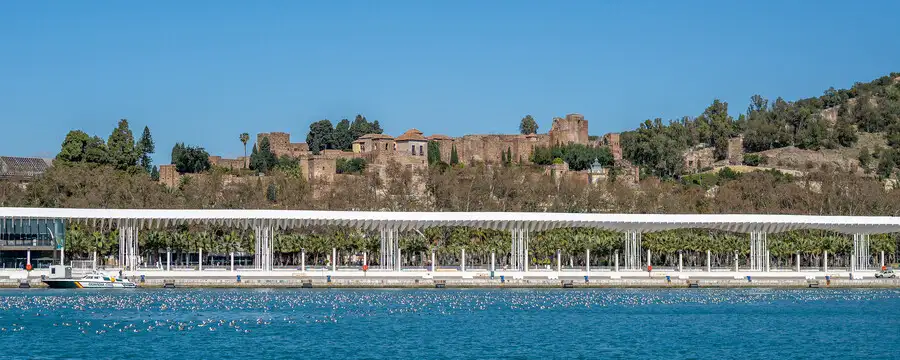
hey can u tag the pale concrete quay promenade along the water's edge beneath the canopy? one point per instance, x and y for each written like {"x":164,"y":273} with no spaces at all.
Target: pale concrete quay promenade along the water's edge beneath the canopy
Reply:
{"x":355,"y":278}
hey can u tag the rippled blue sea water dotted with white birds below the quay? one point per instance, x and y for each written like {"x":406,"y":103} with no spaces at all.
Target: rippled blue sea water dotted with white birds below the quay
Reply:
{"x":450,"y":324}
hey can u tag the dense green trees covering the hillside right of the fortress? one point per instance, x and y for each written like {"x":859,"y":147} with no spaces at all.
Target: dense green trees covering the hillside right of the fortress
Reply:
{"x":872,"y":107}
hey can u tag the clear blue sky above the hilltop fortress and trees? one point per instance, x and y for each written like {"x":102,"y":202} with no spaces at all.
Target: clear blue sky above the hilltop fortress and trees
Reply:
{"x":202,"y":72}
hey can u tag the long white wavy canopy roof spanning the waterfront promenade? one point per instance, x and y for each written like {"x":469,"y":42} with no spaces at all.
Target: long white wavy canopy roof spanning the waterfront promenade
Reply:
{"x":156,"y":218}
